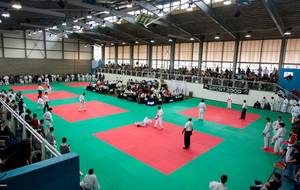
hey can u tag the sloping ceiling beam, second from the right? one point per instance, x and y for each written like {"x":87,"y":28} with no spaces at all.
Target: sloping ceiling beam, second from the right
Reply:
{"x":213,"y":16}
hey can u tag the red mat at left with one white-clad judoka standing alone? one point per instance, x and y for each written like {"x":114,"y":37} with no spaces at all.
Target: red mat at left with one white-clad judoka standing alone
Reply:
{"x":95,"y":109}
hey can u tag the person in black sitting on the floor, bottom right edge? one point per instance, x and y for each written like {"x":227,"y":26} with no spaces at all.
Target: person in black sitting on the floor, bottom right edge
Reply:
{"x":270,"y":185}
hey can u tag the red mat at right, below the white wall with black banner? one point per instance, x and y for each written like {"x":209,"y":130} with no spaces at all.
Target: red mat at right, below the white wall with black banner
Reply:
{"x":223,"y":116}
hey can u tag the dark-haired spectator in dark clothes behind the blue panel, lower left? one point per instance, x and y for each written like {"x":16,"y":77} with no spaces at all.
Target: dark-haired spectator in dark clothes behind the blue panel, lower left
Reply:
{"x":20,"y":157}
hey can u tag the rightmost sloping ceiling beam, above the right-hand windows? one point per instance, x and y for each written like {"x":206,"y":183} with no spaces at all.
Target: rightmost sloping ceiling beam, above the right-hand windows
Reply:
{"x":274,"y":15}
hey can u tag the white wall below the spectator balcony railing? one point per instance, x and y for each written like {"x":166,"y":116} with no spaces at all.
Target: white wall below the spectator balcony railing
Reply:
{"x":199,"y":92}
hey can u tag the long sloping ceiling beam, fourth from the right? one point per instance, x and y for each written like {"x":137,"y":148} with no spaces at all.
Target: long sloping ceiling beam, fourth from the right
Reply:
{"x":128,"y":17}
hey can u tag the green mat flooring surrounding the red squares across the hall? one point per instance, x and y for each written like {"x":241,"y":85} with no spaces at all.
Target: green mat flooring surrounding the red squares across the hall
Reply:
{"x":239,"y":155}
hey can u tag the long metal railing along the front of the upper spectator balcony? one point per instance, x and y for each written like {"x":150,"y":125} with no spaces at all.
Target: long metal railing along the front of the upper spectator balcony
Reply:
{"x":233,"y":83}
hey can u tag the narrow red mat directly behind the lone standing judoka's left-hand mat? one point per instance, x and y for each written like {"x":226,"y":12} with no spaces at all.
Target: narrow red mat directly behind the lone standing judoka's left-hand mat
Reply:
{"x":52,"y":96}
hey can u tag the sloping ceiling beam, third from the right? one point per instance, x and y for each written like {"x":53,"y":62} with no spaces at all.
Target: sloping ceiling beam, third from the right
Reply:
{"x":167,"y":17}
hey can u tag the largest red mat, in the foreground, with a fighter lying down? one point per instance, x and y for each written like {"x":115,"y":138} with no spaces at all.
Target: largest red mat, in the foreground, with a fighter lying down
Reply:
{"x":160,"y":149}
